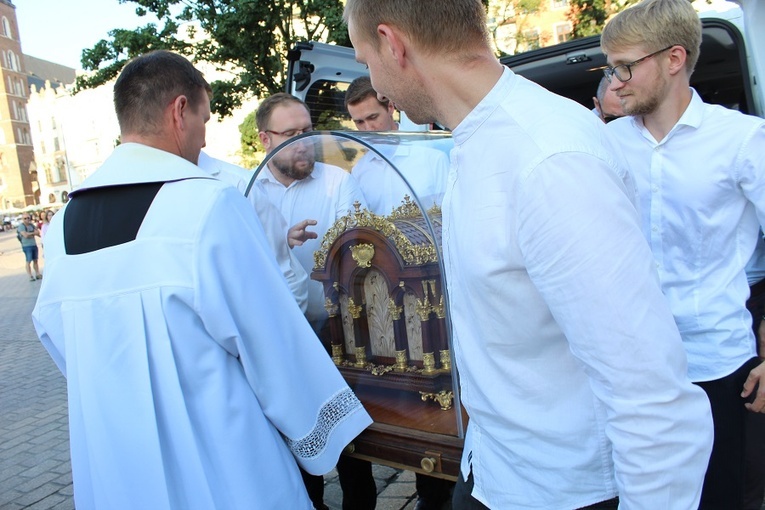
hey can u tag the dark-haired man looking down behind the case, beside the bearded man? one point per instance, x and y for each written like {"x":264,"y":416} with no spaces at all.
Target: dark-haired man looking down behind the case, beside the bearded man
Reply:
{"x":425,"y":169}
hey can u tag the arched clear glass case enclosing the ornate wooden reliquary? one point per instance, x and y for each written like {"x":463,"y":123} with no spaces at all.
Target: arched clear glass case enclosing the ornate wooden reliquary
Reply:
{"x":376,"y":297}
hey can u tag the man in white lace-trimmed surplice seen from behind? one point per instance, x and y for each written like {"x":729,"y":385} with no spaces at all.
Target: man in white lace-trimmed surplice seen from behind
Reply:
{"x":194,"y":382}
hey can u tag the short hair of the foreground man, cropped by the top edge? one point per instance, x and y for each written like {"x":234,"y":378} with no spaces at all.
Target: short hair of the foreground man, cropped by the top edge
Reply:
{"x":436,"y":25}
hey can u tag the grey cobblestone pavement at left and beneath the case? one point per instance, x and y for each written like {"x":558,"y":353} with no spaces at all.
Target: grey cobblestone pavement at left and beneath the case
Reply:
{"x":35,"y":472}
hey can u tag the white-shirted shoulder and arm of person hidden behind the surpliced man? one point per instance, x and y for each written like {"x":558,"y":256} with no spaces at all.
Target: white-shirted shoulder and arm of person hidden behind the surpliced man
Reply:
{"x":272,"y":220}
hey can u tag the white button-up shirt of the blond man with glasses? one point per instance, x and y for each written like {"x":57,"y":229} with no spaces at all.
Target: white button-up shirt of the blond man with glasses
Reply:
{"x":702,"y":195}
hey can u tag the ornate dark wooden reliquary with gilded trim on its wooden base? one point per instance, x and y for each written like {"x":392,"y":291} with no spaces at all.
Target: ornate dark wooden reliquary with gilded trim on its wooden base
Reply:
{"x":386,"y":332}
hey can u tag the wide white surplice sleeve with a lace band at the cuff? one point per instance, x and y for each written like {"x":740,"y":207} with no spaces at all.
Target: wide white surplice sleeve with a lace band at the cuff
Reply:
{"x":247,"y":307}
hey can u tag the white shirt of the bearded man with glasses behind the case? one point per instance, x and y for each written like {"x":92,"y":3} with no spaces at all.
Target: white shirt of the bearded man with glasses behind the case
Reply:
{"x":327,"y":194}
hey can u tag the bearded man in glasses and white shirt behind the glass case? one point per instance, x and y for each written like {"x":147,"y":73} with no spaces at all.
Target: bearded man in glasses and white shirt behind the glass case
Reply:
{"x":302,"y":188}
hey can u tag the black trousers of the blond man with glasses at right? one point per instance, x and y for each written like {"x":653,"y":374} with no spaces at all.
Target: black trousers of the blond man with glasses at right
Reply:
{"x":724,"y":480}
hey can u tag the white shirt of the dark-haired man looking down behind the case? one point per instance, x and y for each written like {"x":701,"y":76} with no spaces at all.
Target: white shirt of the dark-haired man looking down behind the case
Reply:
{"x":425,"y":169}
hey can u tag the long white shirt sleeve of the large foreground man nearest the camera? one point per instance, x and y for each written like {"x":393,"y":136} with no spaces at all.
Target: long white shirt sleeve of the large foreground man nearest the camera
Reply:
{"x":580,"y":238}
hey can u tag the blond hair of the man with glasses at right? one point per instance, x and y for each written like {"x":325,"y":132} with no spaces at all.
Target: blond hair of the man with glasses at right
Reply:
{"x":656,"y":24}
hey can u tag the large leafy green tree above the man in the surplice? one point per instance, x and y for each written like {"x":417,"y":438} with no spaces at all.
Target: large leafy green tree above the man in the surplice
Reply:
{"x":247,"y":38}
